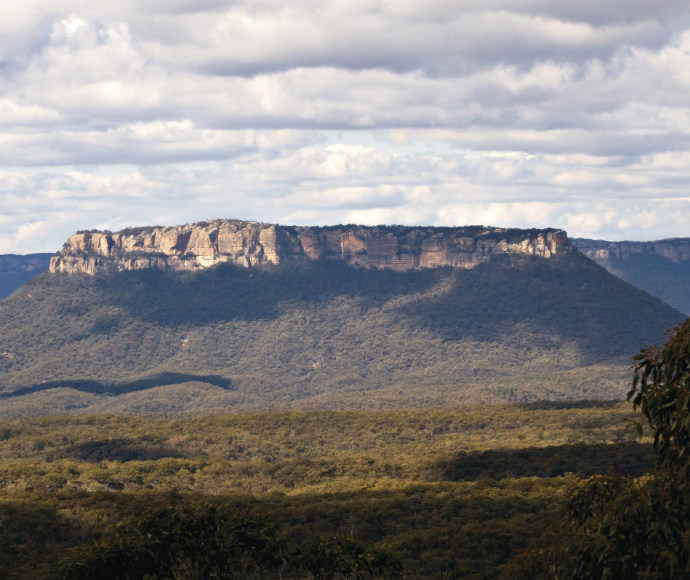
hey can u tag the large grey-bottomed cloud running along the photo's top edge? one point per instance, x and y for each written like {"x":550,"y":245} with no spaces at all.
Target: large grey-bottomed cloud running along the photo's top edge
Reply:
{"x":438,"y":38}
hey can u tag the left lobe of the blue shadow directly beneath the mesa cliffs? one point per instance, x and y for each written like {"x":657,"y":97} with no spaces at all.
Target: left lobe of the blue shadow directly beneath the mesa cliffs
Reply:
{"x":226,"y":292}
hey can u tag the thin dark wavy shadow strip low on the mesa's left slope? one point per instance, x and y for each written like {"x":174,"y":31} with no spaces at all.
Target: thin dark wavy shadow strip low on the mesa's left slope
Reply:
{"x":96,"y":387}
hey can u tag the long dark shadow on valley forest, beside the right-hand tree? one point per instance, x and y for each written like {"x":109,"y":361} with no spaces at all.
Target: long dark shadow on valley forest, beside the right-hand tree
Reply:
{"x":628,"y":457}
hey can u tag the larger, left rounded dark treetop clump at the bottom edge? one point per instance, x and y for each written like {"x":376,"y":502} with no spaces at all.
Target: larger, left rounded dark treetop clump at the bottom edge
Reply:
{"x":198,"y":541}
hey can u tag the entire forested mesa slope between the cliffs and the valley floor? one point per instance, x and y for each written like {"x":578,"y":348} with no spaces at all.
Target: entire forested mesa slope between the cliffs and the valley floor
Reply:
{"x":322,"y":334}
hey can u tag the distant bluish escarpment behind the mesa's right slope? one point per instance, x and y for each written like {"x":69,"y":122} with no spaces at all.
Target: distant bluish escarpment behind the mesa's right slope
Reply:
{"x":661,"y":268}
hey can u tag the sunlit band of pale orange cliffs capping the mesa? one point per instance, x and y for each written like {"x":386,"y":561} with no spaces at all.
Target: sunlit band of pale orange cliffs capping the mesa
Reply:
{"x":249,"y":244}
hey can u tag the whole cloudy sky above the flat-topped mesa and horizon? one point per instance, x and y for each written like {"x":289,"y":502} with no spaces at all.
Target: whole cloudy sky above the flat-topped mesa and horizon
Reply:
{"x":508,"y":113}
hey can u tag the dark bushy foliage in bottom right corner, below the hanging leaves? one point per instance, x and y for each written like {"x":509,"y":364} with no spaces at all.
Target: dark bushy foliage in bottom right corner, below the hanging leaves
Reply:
{"x":619,"y":528}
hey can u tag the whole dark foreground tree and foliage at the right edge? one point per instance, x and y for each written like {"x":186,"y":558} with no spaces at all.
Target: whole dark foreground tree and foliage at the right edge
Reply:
{"x":620,"y":528}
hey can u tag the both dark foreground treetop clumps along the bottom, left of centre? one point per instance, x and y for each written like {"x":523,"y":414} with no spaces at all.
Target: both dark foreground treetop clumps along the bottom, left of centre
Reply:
{"x":203,"y":540}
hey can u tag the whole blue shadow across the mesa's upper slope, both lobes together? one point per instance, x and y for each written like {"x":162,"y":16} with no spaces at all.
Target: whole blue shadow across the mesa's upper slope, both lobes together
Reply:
{"x":568,"y":298}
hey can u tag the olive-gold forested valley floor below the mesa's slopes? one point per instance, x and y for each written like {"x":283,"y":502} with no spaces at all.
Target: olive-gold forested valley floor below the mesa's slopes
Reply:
{"x":449,"y":493}
